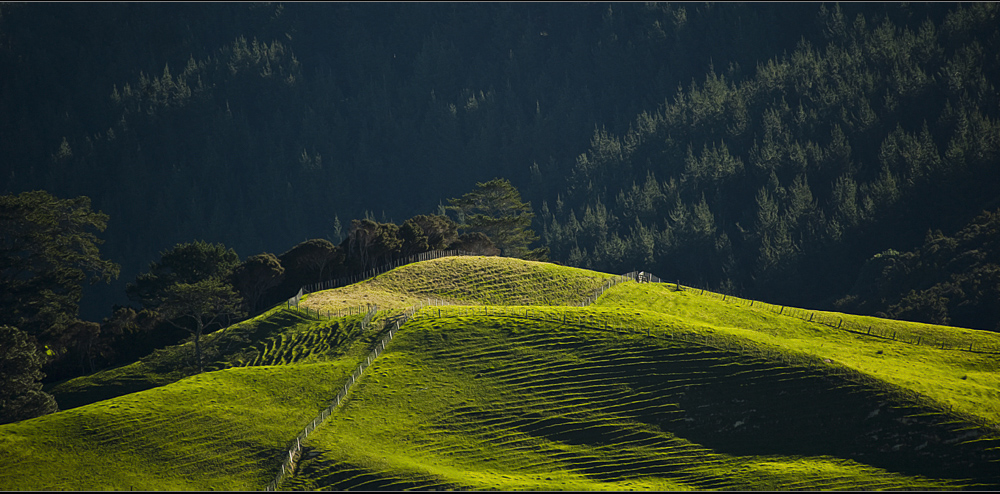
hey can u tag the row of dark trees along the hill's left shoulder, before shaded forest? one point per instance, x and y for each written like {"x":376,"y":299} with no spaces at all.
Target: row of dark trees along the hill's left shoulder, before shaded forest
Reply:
{"x":49,"y":250}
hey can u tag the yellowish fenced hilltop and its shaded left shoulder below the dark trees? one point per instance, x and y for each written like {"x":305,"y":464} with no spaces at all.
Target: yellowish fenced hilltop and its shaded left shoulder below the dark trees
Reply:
{"x":470,"y":279}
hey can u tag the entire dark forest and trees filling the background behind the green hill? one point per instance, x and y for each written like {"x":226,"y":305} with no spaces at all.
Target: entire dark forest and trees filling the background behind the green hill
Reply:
{"x":822,"y":155}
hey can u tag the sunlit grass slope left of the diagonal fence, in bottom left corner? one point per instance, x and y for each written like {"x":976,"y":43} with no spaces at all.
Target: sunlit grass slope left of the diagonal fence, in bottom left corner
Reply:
{"x":219,"y":430}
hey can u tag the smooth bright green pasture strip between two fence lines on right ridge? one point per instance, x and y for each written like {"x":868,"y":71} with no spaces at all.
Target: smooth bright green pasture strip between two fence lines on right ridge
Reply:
{"x":965,"y":381}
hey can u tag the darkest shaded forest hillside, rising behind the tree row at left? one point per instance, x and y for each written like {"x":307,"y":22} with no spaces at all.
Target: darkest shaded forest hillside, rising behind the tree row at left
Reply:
{"x":222,"y":120}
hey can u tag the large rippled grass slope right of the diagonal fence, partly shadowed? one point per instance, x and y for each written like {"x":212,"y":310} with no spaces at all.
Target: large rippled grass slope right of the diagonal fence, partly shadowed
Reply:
{"x":464,"y":400}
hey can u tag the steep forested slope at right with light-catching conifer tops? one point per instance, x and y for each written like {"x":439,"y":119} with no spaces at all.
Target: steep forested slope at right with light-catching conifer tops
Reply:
{"x":780,"y":185}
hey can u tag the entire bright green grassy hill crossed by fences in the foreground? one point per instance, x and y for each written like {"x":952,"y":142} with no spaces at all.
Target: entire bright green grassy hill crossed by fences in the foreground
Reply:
{"x":511,"y":385}
